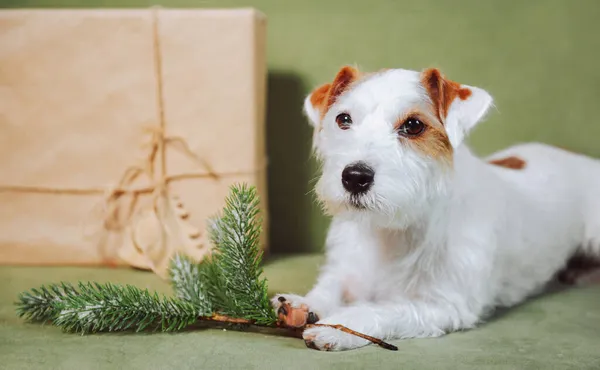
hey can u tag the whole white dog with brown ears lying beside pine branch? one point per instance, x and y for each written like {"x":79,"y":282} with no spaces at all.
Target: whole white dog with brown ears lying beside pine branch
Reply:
{"x":426,"y":238}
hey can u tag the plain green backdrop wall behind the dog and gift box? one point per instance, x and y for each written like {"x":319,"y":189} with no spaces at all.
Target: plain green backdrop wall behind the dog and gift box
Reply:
{"x":538,"y":58}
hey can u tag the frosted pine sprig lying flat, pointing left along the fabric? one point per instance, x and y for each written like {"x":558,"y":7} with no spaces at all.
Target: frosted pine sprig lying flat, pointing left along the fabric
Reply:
{"x":97,"y":307}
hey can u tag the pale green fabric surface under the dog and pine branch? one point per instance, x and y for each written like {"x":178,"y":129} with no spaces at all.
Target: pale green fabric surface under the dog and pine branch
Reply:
{"x":560,"y":330}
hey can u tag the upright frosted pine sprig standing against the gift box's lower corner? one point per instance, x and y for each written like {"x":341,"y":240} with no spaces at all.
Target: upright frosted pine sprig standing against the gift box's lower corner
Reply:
{"x":239,"y":290}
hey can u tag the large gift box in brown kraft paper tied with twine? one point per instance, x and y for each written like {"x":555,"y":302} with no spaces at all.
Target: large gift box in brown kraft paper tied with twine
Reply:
{"x":120,"y":129}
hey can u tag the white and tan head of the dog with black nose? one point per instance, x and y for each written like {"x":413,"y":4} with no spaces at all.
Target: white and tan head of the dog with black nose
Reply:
{"x":386,"y":140}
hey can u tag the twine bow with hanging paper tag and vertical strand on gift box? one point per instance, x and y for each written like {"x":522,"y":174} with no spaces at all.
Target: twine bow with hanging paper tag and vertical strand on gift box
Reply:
{"x":165,"y":213}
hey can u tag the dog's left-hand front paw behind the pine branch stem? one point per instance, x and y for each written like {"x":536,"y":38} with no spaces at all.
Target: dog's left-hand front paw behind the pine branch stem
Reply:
{"x":293,"y":310}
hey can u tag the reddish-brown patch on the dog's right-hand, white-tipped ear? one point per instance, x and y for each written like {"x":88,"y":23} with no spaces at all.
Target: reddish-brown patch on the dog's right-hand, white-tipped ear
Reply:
{"x":442,"y":91}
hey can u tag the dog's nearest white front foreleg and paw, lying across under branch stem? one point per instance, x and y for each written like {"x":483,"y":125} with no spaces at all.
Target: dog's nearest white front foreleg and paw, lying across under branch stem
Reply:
{"x":390,"y":321}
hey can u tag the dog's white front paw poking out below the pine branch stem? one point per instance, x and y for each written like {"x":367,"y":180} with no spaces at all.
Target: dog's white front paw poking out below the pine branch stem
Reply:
{"x":331,"y":339}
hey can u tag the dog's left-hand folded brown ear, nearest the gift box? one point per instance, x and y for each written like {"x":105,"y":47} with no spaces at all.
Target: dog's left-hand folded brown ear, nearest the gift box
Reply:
{"x":320,"y":99}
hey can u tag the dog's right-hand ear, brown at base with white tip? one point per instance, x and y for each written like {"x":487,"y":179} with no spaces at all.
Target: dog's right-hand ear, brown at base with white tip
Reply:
{"x":458,"y":107}
